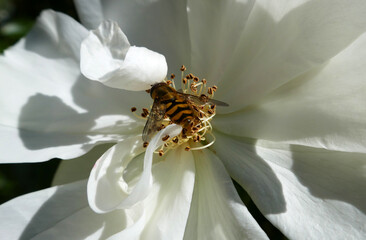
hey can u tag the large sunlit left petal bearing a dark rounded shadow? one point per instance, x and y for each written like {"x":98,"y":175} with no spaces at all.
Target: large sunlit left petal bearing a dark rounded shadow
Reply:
{"x":48,"y":108}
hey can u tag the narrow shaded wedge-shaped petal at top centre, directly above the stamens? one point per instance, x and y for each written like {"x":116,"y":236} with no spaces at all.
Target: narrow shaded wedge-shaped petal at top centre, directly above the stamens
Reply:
{"x":213,"y":42}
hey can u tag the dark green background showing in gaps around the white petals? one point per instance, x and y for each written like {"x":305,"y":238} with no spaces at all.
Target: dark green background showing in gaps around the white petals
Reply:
{"x":16,"y":19}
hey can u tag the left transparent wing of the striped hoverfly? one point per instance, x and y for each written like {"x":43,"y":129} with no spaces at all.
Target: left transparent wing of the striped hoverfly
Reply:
{"x":154,"y":121}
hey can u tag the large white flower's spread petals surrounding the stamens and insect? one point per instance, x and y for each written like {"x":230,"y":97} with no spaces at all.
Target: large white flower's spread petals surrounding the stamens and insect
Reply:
{"x":293,"y":137}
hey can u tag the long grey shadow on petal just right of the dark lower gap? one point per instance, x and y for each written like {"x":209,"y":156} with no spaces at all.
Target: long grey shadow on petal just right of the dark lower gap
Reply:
{"x":251,"y":172}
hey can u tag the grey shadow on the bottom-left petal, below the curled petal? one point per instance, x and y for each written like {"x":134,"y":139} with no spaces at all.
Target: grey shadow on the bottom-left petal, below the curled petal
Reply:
{"x":66,"y":214}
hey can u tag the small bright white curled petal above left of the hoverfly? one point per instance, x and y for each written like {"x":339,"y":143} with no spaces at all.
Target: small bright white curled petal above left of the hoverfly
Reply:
{"x":106,"y":56}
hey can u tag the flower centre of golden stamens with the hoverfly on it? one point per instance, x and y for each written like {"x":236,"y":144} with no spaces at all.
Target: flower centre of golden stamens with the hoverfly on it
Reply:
{"x":192,"y":107}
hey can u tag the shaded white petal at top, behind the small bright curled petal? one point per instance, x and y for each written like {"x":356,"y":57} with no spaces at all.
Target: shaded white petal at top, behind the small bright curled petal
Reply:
{"x":158,"y":25}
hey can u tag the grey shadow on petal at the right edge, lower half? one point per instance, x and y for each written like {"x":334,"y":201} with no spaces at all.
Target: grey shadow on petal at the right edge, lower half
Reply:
{"x":332,"y":175}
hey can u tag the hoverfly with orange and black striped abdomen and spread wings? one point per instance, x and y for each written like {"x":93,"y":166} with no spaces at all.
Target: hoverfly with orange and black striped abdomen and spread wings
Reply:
{"x":180,"y":108}
